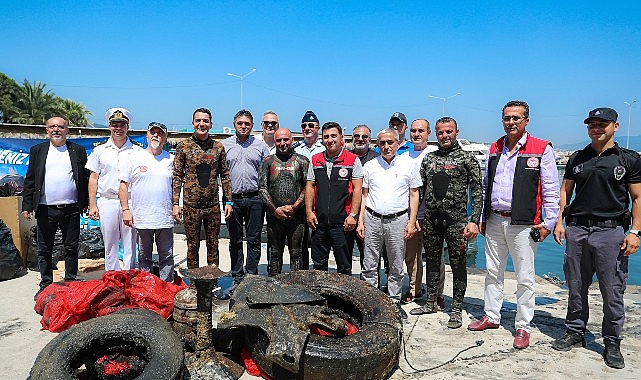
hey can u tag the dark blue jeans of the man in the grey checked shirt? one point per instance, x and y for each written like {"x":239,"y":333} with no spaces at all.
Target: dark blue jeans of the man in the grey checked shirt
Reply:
{"x":246,"y":221}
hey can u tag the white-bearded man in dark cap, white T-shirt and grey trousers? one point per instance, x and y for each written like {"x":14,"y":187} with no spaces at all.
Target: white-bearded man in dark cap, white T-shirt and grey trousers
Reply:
{"x":148,"y":173}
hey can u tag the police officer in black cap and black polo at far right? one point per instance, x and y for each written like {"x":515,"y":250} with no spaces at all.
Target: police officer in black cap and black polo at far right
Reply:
{"x":603,"y":177}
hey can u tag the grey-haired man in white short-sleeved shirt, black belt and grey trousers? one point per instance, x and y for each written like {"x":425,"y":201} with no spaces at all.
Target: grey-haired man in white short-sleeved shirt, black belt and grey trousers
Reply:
{"x":385,"y":219}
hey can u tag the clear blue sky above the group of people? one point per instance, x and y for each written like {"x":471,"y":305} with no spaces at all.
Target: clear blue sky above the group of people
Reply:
{"x":351,"y":62}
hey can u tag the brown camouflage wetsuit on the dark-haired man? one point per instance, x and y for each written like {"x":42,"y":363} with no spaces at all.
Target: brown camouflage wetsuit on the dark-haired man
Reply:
{"x":197,"y":166}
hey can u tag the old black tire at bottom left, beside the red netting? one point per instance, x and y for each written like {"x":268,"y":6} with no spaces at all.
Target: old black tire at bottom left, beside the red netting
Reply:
{"x":139,"y":332}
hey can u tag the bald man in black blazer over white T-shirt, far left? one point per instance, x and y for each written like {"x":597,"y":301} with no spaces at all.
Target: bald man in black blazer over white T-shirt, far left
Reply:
{"x":55,"y":188}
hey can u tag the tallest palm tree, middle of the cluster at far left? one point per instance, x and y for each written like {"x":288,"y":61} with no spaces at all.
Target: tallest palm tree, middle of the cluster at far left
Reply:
{"x":34,"y":105}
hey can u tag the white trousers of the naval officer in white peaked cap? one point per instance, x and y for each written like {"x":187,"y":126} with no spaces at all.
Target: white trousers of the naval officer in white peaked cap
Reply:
{"x":114,"y":230}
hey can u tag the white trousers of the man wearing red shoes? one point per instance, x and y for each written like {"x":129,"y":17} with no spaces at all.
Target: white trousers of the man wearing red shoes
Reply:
{"x":502,"y":238}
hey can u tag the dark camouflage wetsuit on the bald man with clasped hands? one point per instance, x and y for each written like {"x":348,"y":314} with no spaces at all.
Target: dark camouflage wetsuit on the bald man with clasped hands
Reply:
{"x":281,"y":181}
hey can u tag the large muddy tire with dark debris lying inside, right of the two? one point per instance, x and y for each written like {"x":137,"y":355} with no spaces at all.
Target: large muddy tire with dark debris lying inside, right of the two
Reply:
{"x":371,"y":353}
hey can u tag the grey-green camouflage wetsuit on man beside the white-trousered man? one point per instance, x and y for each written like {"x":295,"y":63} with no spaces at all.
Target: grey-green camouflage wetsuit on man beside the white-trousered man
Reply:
{"x":446,"y":175}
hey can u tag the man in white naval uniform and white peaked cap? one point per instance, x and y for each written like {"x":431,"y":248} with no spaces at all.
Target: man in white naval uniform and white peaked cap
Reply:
{"x":104,"y":184}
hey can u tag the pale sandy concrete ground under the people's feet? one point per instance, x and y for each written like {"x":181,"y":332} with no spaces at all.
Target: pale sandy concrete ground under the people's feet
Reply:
{"x":428,"y":343}
